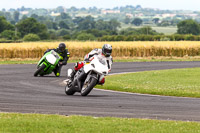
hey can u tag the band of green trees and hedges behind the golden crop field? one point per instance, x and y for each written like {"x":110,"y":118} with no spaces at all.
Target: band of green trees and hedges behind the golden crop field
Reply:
{"x":37,"y":28}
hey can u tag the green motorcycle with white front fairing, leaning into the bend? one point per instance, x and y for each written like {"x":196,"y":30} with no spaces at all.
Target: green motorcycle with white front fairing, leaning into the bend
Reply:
{"x":47,"y":63}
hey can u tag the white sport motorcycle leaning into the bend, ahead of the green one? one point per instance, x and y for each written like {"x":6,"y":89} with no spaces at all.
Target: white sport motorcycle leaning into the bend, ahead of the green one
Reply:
{"x":87,"y":77}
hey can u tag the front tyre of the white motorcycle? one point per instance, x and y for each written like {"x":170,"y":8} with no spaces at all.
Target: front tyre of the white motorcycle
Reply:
{"x":88,"y":86}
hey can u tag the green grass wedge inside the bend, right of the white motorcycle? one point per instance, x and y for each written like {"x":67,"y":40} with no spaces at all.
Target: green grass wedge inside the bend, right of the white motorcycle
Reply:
{"x":176,"y":82}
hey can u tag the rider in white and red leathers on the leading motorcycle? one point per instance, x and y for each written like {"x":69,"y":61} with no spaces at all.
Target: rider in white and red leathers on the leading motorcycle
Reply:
{"x":105,"y":52}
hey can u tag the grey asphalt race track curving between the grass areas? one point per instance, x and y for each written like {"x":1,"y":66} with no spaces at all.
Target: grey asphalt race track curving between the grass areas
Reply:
{"x":21,"y":92}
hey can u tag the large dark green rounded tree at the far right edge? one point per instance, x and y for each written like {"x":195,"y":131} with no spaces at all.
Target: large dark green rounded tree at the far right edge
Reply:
{"x":188,"y":27}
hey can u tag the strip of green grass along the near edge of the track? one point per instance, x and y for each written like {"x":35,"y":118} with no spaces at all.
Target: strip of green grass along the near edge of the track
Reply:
{"x":37,"y":123}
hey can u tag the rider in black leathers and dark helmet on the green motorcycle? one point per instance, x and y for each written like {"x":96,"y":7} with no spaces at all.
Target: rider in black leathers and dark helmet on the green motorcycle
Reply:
{"x":64,"y":54}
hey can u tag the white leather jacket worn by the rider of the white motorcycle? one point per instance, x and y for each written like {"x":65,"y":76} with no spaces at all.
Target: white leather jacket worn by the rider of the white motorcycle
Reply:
{"x":98,"y":52}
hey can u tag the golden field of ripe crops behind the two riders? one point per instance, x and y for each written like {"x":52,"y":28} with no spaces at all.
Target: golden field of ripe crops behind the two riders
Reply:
{"x":120,"y":49}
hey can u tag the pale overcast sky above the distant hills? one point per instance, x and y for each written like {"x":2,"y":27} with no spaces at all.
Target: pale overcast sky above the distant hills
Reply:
{"x":161,"y":4}
